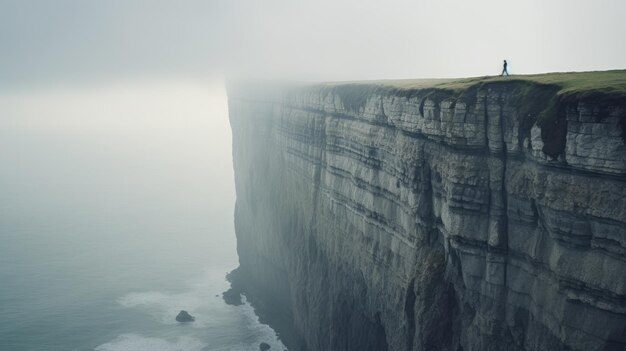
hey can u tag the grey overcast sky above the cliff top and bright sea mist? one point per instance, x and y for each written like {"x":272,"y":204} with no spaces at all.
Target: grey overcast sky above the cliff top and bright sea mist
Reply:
{"x":73,"y":41}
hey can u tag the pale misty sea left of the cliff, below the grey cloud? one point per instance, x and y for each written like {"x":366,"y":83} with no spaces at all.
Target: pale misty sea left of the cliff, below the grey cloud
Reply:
{"x":116,"y":212}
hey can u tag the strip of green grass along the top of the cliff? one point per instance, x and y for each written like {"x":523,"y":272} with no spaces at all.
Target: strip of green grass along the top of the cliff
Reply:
{"x":567,"y":83}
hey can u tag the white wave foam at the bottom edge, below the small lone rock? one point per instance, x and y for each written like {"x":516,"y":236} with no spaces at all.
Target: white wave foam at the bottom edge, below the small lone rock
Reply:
{"x":135,"y":342}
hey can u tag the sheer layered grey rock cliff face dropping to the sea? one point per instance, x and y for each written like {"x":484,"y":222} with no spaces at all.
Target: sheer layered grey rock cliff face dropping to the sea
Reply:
{"x":375,"y":219}
